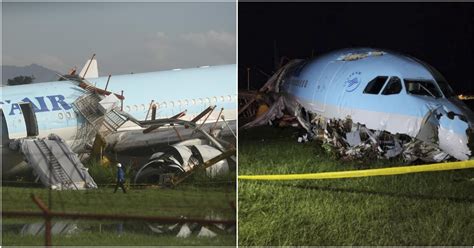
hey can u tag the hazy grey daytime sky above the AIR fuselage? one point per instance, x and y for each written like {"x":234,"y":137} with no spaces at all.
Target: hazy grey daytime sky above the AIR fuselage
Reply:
{"x":127,"y":37}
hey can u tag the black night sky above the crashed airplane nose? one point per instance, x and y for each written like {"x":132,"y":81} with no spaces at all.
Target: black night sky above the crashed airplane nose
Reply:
{"x":440,"y":34}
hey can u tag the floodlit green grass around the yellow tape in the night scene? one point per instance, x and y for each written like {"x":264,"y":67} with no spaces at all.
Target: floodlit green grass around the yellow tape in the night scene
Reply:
{"x":435,"y":208}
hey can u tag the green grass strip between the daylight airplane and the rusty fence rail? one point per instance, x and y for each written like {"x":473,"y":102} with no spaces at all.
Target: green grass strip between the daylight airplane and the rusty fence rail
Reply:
{"x":187,"y":201}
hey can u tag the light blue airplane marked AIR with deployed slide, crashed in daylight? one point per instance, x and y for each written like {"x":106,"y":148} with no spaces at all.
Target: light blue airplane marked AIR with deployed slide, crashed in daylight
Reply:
{"x":50,"y":124}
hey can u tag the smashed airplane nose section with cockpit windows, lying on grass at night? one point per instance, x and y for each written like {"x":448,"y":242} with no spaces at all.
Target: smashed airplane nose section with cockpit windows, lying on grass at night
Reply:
{"x":367,"y":101}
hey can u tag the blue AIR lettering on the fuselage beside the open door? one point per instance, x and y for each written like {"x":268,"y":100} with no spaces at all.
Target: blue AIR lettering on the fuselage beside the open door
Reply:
{"x":39,"y":105}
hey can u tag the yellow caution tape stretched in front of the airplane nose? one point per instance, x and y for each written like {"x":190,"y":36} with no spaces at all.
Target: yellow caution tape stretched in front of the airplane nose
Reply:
{"x":366,"y":173}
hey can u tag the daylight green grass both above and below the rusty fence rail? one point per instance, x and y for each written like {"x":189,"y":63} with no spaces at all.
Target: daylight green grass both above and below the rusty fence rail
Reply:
{"x":203,"y":201}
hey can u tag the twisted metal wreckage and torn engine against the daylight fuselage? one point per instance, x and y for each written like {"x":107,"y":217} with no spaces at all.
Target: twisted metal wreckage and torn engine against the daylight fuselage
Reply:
{"x":196,"y":148}
